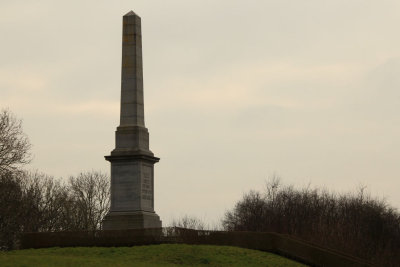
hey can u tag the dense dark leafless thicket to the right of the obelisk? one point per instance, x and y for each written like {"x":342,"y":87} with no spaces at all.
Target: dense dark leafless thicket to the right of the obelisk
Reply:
{"x":356,"y":224}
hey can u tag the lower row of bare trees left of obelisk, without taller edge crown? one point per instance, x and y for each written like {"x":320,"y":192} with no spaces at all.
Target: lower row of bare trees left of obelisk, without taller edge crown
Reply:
{"x":34,"y":202}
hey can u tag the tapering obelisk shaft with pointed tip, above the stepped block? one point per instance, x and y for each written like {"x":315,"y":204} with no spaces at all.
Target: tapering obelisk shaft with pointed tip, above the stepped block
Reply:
{"x":132,"y":104}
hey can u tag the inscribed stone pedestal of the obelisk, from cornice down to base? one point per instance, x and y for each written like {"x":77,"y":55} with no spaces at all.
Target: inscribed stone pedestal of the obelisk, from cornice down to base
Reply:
{"x":132,"y":192}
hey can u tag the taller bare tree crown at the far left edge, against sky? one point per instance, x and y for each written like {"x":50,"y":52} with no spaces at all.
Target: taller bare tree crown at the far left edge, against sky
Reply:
{"x":14,"y":144}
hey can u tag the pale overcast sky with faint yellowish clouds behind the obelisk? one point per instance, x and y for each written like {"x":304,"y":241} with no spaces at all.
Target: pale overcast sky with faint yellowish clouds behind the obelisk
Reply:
{"x":235,"y":91}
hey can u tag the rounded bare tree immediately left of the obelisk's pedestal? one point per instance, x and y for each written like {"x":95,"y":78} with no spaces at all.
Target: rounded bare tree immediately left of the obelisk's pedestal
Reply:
{"x":91,"y":196}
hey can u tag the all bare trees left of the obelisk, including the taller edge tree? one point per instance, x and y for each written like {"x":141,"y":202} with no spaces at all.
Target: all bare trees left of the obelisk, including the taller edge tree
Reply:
{"x":34,"y":202}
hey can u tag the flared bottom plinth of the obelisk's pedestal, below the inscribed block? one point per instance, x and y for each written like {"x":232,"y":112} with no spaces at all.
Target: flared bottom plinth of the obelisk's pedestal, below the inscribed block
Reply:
{"x":131,"y":220}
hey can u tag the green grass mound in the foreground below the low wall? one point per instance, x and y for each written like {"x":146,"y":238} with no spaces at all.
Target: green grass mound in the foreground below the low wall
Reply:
{"x":154,"y":255}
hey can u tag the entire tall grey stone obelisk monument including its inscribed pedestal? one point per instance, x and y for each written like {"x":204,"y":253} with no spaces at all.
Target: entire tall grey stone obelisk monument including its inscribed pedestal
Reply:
{"x":132,"y":163}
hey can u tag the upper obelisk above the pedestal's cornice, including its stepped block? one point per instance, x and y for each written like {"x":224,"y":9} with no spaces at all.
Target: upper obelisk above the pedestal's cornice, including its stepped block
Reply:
{"x":132,"y":137}
